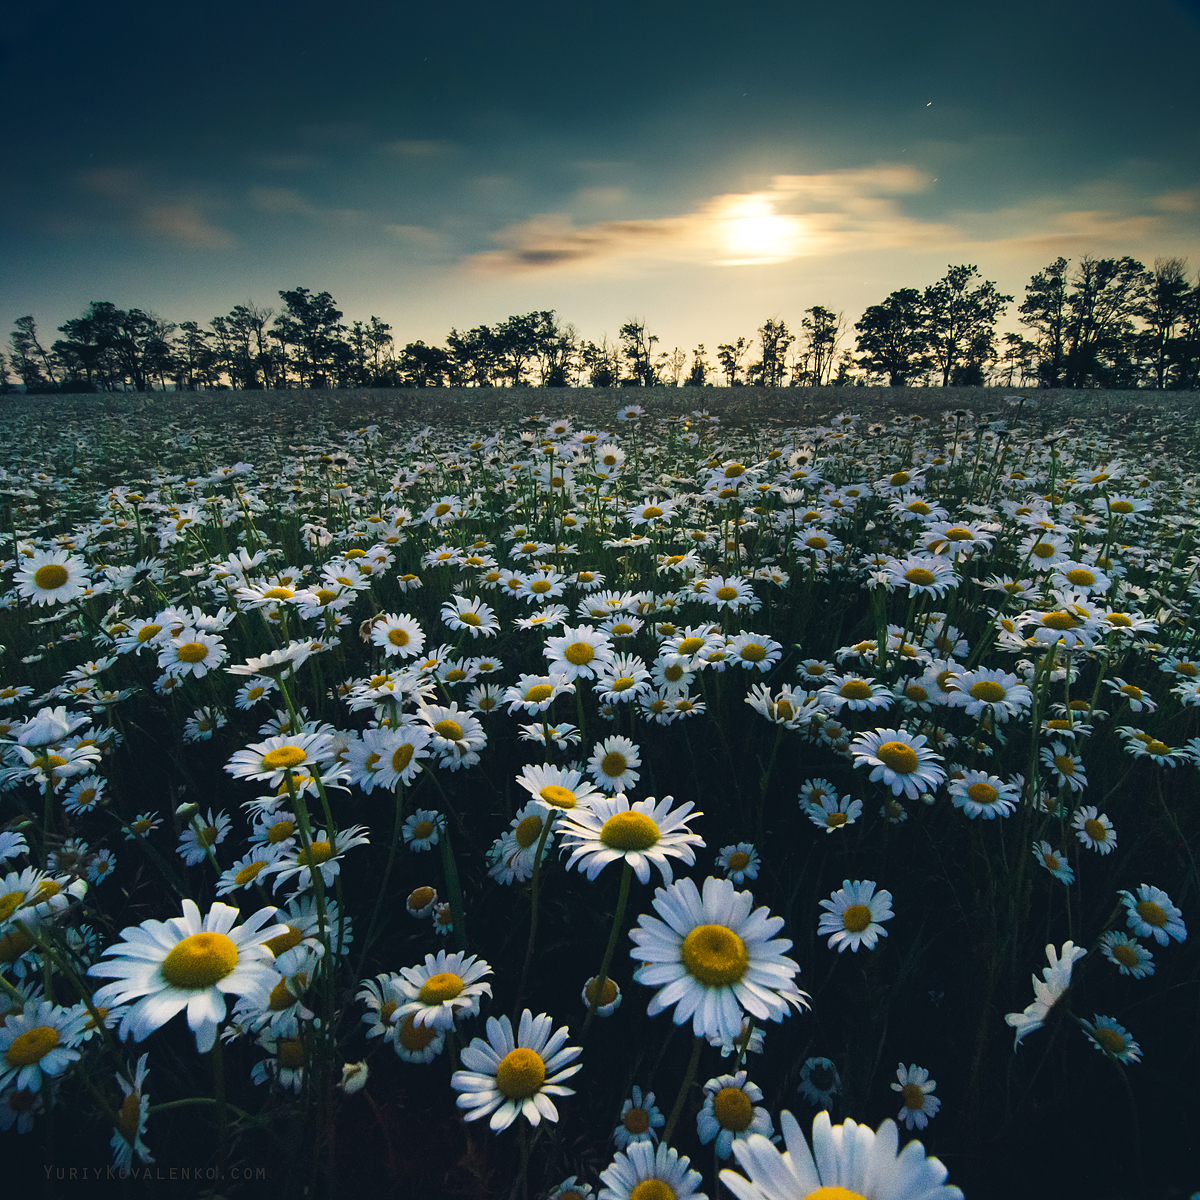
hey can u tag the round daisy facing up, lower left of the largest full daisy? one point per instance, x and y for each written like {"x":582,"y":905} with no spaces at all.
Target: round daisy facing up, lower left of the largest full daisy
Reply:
{"x":511,"y":1076}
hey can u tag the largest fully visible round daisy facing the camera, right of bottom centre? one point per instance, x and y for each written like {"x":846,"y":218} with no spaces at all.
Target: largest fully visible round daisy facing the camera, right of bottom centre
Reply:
{"x":711,"y":958}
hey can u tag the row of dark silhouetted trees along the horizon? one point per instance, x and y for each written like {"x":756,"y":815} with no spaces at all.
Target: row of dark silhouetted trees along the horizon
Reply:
{"x":1107,"y":323}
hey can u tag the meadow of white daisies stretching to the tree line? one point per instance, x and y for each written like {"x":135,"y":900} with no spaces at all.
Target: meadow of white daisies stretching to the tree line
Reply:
{"x":625,"y":803}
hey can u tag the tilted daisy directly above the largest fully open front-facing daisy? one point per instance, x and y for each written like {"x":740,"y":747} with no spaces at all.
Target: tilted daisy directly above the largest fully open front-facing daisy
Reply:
{"x":644,"y":835}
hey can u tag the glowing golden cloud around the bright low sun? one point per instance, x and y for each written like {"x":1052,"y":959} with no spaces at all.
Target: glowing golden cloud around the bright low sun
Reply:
{"x":797,"y":217}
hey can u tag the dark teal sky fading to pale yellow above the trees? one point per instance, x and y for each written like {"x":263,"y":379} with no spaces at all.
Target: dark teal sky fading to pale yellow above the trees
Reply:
{"x":699,"y":166}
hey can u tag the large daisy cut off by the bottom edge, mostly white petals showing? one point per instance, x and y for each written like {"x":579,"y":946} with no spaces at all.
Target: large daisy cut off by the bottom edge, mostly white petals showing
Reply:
{"x":845,"y":1161}
